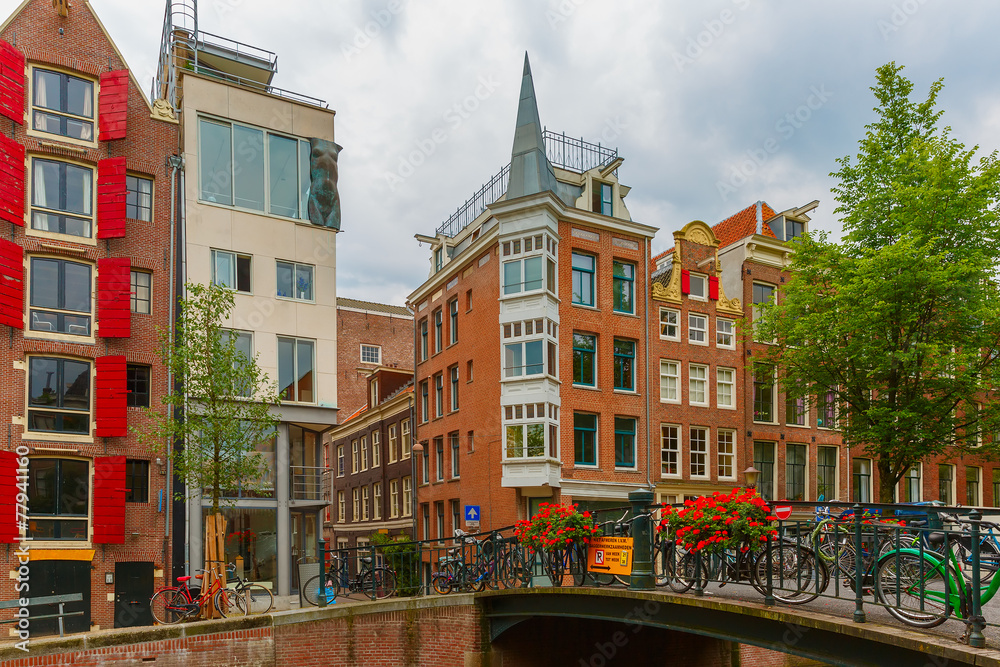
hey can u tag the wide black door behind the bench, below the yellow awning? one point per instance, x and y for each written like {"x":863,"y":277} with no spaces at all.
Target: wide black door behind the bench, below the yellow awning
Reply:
{"x":59,"y":577}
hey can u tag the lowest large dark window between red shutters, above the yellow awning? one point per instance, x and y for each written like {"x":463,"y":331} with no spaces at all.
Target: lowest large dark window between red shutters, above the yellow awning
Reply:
{"x":58,"y":499}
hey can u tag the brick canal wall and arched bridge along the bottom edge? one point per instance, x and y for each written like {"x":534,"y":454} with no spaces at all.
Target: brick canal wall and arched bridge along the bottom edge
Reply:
{"x":541,"y":626}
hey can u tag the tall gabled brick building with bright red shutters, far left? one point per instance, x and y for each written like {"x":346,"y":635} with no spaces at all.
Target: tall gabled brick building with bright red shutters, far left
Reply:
{"x":86,"y":284}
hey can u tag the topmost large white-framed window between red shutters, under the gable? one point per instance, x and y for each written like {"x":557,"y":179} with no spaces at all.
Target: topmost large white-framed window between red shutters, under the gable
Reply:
{"x":62,"y":104}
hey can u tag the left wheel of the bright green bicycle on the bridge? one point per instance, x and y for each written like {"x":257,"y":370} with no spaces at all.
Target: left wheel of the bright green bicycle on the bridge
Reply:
{"x":914,"y":590}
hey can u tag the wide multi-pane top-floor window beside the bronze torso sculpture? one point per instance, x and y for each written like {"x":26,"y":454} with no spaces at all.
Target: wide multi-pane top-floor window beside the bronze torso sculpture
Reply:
{"x":247,"y":167}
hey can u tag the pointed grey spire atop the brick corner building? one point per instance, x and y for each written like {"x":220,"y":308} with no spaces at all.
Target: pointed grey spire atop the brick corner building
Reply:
{"x":530,"y":169}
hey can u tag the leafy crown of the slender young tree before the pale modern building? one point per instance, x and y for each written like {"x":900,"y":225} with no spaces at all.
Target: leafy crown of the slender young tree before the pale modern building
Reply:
{"x":225,"y":399}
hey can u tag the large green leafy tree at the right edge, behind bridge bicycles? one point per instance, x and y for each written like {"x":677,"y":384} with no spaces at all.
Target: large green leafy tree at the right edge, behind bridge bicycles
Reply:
{"x":901,"y":319}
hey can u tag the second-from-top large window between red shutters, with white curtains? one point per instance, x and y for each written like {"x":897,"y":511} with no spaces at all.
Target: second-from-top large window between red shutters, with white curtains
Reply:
{"x":62,"y":197}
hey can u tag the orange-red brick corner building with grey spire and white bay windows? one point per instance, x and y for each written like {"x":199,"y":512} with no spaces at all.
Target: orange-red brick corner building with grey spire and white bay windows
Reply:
{"x":544,"y":288}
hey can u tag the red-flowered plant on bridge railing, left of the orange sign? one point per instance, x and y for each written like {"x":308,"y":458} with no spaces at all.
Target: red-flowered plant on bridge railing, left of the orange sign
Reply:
{"x":558,"y":534}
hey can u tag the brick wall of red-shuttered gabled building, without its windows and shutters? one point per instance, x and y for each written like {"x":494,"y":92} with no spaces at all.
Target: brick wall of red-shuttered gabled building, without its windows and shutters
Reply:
{"x":79,"y":46}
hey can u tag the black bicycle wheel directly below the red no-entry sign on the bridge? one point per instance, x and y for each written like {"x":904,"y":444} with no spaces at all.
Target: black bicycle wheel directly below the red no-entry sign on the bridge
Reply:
{"x":797,"y":576}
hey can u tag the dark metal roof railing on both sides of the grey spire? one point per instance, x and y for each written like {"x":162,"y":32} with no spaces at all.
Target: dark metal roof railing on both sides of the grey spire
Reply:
{"x":562,"y":151}
